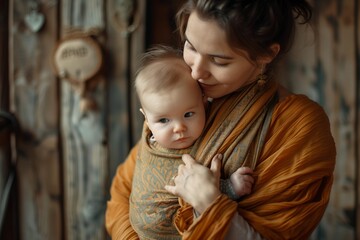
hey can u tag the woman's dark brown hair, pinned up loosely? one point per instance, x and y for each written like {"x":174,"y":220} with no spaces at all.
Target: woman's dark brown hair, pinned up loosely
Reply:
{"x":252,"y":25}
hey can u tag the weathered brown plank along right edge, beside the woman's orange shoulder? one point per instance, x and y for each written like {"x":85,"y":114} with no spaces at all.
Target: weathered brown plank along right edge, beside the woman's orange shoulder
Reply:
{"x":336,"y":28}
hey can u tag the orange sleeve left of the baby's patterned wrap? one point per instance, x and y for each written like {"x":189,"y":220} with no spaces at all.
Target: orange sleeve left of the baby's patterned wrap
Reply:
{"x":117,"y":212}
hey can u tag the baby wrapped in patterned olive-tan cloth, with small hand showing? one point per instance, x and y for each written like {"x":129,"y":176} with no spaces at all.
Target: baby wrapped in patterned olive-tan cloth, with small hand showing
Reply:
{"x":174,"y":110}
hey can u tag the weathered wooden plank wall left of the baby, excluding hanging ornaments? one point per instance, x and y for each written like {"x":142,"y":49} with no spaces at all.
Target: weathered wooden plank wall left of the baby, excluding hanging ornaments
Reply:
{"x":66,"y":158}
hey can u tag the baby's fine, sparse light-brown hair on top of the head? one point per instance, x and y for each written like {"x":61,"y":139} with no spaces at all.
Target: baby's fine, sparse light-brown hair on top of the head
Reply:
{"x":161,"y":69}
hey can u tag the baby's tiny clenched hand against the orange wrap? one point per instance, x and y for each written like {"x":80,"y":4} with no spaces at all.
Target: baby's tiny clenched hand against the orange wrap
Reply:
{"x":242,"y":181}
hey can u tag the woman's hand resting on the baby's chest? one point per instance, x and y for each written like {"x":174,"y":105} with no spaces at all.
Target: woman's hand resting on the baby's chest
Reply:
{"x":196,"y":184}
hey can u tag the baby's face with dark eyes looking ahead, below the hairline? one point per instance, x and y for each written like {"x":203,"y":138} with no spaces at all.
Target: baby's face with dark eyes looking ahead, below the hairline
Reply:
{"x":176,"y":118}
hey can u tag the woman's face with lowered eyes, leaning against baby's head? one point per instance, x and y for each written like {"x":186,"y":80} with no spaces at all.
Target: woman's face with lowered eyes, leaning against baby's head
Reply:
{"x":219,"y":68}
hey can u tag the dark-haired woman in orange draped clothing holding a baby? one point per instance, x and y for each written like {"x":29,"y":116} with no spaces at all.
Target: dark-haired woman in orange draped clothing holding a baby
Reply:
{"x":231,"y":47}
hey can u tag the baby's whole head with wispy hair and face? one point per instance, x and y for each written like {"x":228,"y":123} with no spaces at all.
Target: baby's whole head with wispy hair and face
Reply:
{"x":171,"y":99}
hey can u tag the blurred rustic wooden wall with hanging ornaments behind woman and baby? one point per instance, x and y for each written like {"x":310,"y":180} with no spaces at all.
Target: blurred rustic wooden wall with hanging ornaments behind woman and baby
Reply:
{"x":65,"y":126}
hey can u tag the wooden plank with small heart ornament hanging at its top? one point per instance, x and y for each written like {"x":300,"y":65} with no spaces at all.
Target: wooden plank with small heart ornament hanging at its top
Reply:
{"x":33,"y":100}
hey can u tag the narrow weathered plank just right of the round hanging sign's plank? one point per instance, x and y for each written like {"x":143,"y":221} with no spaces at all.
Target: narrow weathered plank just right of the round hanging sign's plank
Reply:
{"x":119,"y":86}
